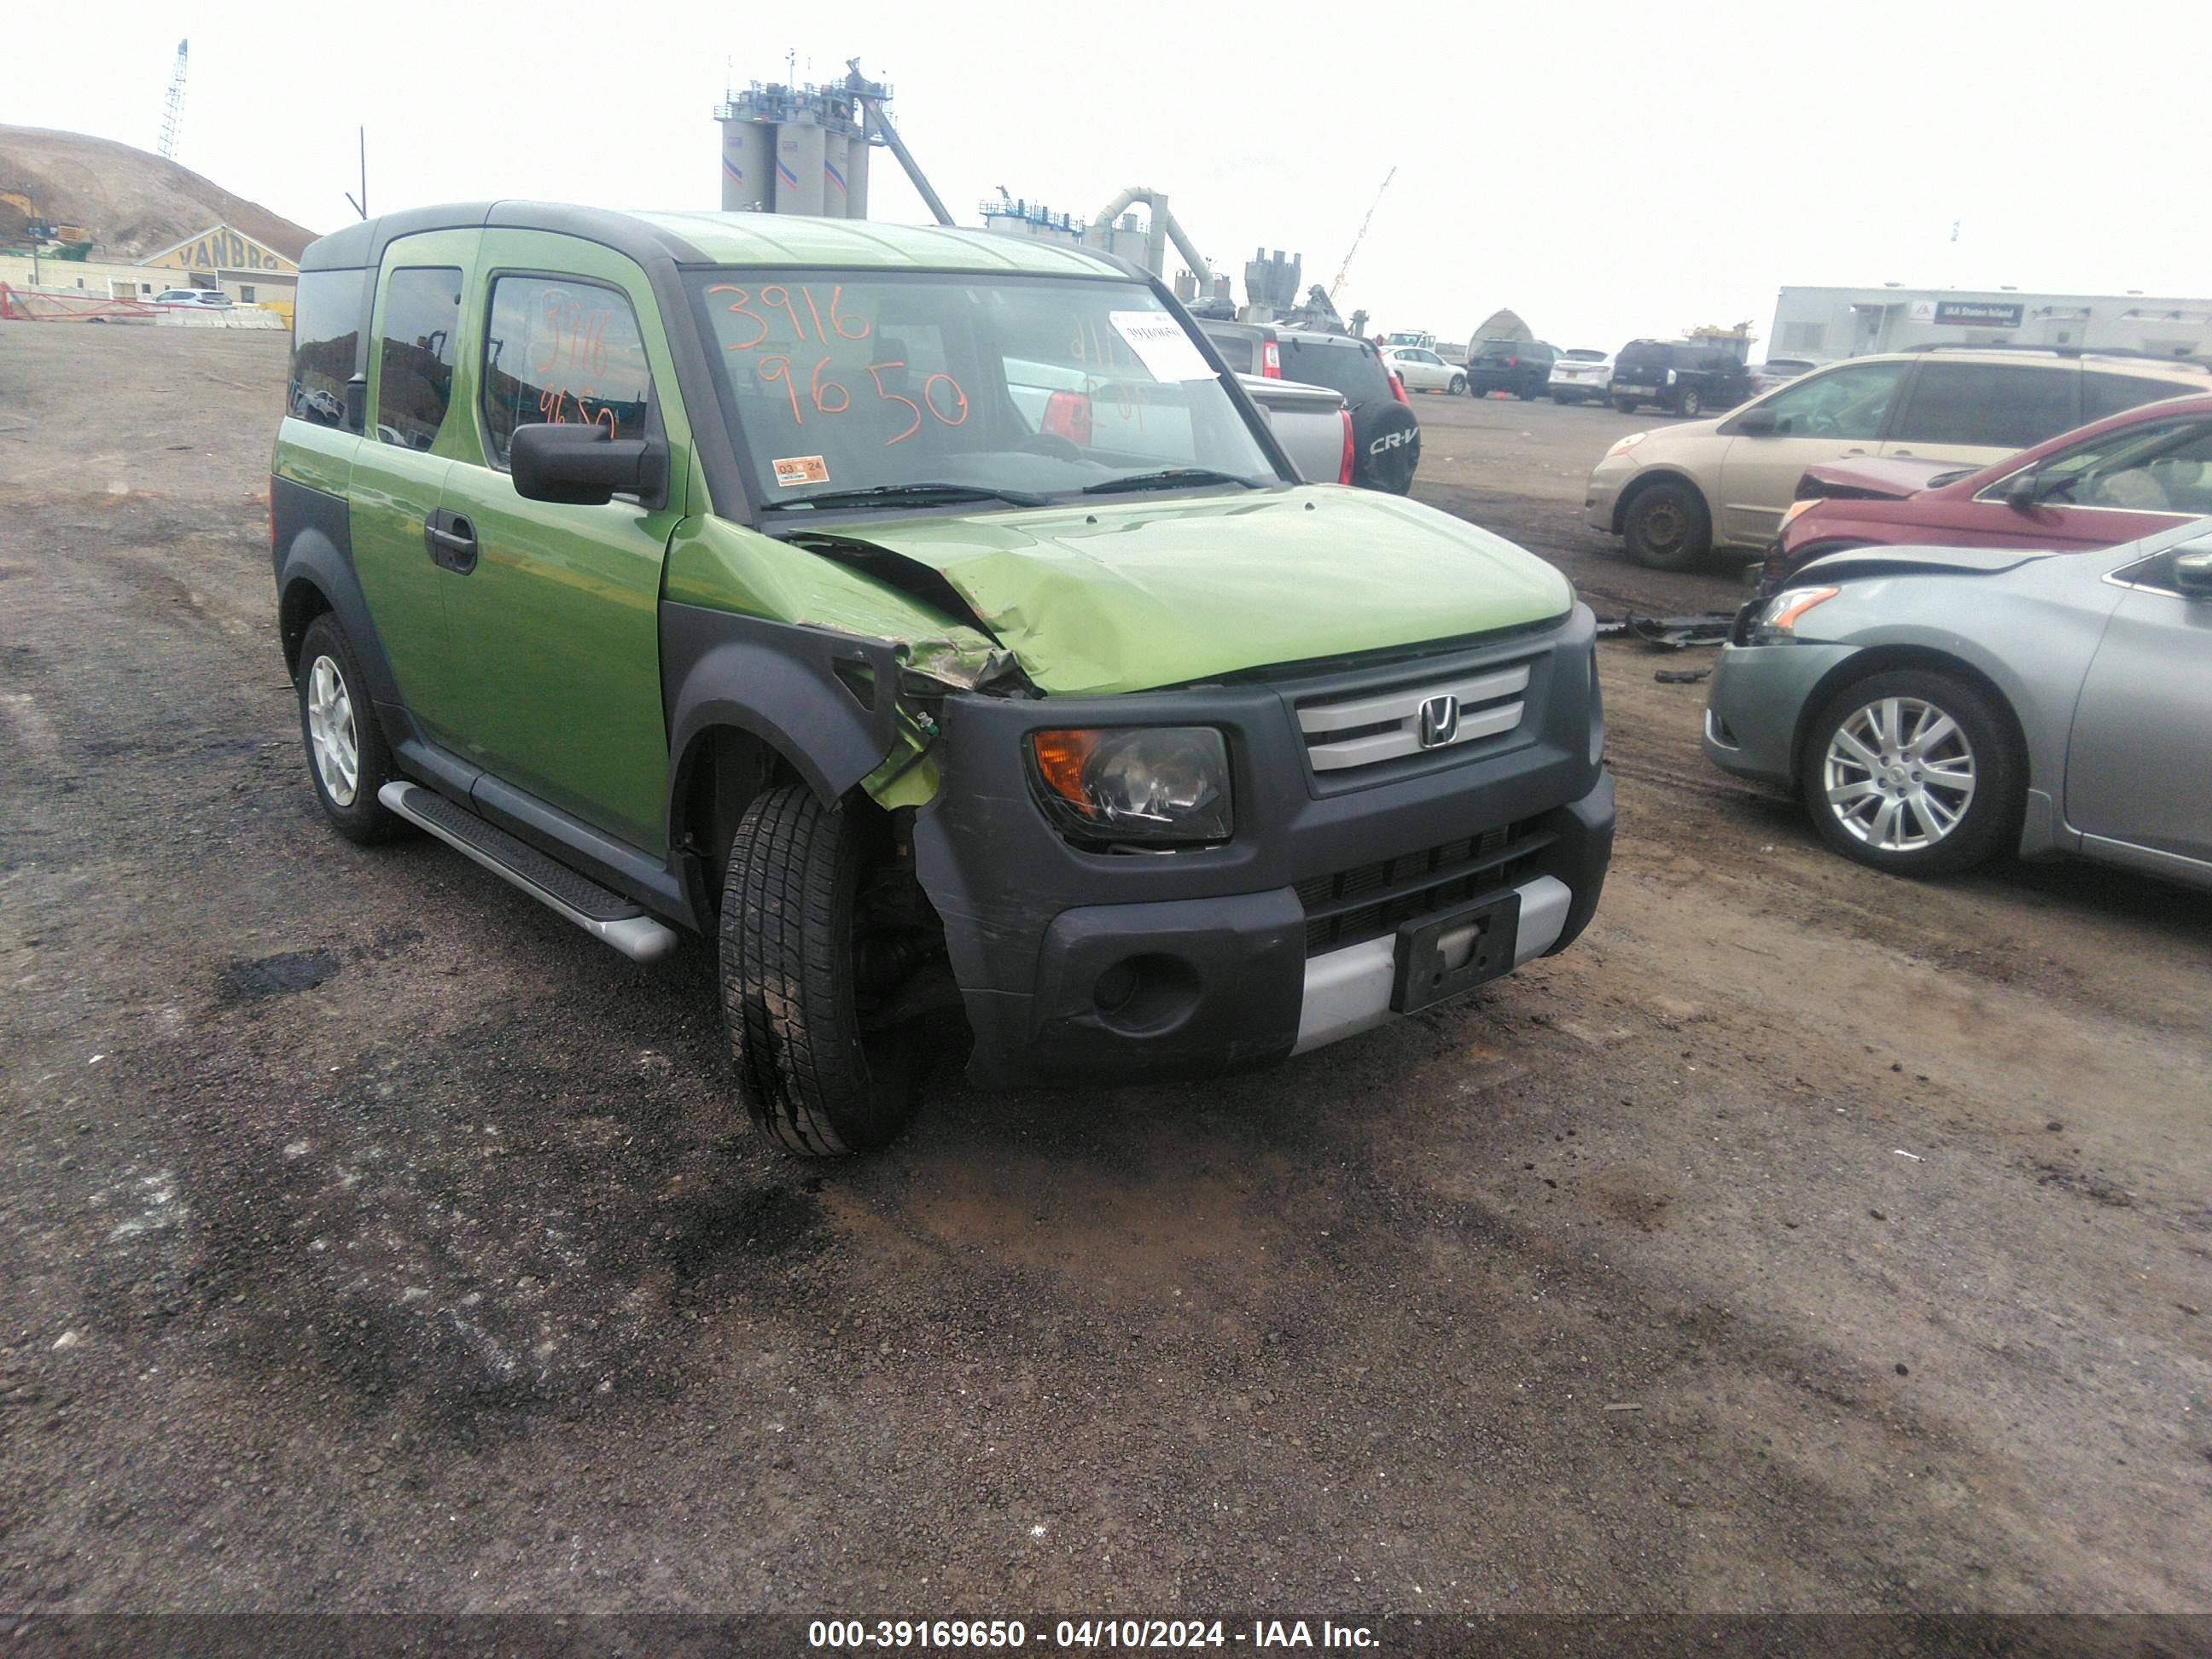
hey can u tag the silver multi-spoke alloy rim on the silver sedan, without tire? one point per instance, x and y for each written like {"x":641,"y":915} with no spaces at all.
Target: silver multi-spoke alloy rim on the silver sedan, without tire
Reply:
{"x":1899,"y":775}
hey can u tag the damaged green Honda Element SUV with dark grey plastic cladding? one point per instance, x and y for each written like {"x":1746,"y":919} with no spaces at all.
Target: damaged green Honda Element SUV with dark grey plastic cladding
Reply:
{"x":930,"y":620}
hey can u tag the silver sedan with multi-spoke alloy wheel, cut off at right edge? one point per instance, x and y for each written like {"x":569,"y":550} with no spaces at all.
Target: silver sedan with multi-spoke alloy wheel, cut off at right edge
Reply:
{"x":1941,"y":705}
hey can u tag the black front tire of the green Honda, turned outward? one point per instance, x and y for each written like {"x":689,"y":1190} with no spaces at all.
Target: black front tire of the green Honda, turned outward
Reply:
{"x":815,"y":1081}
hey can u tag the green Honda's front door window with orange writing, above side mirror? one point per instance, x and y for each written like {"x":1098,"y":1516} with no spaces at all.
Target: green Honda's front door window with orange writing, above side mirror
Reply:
{"x":563,"y":353}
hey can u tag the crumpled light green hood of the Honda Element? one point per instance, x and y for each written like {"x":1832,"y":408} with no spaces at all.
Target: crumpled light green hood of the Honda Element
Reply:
{"x":1160,"y":592}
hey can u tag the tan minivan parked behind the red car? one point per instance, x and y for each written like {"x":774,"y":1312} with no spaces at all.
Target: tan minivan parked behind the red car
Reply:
{"x":1682,"y":490}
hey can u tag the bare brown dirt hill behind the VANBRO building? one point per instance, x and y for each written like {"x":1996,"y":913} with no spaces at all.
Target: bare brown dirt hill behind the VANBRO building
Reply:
{"x":129,"y":200}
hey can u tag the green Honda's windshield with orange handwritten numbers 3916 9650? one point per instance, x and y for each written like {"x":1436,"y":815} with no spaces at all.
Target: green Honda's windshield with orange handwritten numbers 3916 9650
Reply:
{"x":1021,"y":386}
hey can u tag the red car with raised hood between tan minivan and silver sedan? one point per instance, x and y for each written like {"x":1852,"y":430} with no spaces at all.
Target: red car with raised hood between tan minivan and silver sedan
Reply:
{"x":2111,"y":481}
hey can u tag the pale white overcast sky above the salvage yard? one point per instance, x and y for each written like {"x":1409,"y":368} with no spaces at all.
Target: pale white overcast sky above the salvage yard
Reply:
{"x":1603,"y":169}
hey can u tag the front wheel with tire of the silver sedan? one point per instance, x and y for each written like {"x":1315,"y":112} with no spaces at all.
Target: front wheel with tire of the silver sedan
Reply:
{"x":1914,"y":773}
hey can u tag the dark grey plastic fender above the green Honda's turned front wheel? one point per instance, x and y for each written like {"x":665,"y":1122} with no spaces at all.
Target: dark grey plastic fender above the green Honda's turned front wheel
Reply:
{"x":782,"y":682}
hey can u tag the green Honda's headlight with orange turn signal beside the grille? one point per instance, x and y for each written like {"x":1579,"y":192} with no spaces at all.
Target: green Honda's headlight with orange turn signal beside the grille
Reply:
{"x":1167,"y":784}
